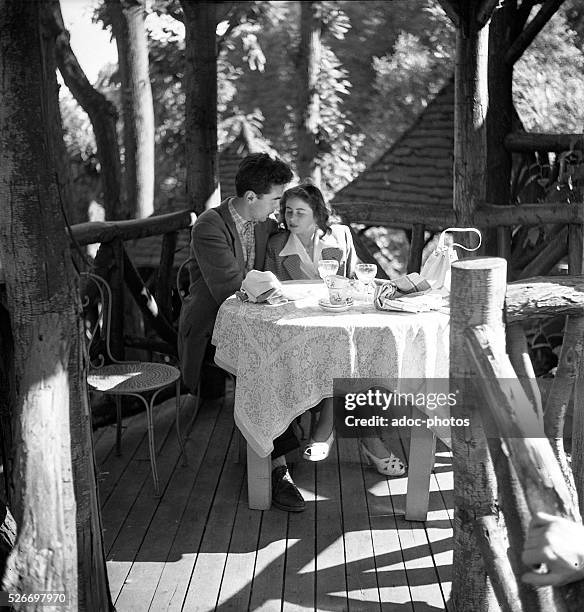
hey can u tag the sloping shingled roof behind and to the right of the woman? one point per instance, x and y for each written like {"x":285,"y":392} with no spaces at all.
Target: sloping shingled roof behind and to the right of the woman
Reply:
{"x":417,"y":169}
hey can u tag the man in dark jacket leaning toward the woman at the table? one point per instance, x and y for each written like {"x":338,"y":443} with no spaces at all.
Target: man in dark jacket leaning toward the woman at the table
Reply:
{"x":226,"y":243}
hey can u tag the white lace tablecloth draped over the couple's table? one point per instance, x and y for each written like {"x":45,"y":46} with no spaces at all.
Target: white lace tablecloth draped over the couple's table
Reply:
{"x":285,"y":357}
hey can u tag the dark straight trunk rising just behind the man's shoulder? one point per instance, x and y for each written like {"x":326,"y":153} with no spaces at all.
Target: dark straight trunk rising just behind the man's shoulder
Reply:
{"x":201,"y":104}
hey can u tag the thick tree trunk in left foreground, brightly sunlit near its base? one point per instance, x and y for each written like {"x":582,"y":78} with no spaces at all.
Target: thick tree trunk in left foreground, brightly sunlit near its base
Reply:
{"x":50,"y":411}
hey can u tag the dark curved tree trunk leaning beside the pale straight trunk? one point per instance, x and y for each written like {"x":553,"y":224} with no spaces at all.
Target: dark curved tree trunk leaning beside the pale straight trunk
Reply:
{"x":103,"y":116}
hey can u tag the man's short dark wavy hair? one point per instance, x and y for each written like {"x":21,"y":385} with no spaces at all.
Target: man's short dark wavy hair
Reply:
{"x":259,"y":172}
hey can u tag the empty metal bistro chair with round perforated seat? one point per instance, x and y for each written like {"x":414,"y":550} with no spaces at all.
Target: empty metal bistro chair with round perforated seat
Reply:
{"x":134,"y":378}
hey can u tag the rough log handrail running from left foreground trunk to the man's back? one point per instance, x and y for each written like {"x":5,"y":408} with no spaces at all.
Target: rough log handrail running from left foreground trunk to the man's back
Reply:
{"x":106,"y":231}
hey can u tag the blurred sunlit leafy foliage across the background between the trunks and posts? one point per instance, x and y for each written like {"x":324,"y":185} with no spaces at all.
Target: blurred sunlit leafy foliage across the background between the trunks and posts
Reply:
{"x":382,"y":62}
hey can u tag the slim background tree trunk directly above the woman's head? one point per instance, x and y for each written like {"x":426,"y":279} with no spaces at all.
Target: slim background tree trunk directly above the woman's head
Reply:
{"x":309,"y":55}
